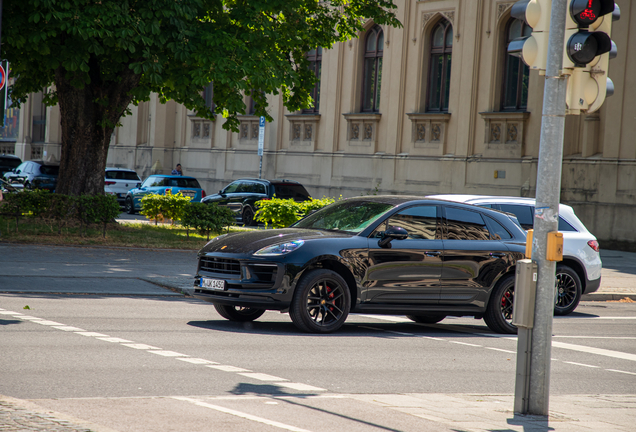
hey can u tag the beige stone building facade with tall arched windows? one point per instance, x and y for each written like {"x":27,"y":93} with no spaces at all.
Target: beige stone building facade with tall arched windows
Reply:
{"x":437,"y":106}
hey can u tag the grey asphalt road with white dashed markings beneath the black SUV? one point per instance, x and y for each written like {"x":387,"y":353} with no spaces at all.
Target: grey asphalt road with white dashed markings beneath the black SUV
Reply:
{"x":129,"y":355}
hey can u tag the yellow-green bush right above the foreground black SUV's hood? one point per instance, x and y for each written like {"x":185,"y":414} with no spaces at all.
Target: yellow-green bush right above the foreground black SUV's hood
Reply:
{"x":285,"y":212}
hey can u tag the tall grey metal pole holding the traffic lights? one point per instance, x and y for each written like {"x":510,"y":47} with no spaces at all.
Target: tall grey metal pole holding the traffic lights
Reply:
{"x":547,"y":211}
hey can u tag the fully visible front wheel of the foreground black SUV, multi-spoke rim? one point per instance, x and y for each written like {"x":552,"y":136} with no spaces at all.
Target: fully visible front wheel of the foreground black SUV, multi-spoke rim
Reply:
{"x":321,"y":302}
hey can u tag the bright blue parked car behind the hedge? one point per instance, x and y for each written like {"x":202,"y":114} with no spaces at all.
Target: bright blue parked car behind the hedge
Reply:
{"x":159,"y":184}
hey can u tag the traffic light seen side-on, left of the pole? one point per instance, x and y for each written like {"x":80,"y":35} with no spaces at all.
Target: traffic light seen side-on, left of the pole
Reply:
{"x":532,"y":49}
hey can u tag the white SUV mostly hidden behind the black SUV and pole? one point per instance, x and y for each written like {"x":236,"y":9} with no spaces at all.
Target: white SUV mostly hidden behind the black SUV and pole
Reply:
{"x":580,"y":271}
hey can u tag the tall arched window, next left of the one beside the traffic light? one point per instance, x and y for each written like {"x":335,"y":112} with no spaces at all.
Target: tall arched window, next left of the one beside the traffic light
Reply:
{"x":440,"y":67}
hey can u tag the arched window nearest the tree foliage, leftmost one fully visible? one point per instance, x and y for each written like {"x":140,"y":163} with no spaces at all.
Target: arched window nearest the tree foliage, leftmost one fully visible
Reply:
{"x":374,"y":46}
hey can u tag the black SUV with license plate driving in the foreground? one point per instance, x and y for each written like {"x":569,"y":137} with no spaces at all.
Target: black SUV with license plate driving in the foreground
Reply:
{"x":423,"y":258}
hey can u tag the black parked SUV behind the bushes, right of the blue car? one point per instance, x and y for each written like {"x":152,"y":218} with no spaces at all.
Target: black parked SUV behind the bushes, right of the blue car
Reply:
{"x":241,"y":195}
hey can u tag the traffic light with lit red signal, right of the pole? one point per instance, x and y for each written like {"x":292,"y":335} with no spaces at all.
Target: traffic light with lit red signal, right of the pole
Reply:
{"x":587,"y":51}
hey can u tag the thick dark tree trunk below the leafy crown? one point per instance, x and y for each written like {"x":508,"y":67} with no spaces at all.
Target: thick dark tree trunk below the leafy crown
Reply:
{"x":89,"y":116}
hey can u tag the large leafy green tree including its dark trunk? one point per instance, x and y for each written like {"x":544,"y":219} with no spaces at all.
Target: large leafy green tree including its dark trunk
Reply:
{"x":96,"y":57}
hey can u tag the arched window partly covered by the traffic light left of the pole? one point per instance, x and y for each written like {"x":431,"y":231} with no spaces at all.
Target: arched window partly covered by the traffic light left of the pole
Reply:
{"x":516,"y":73}
